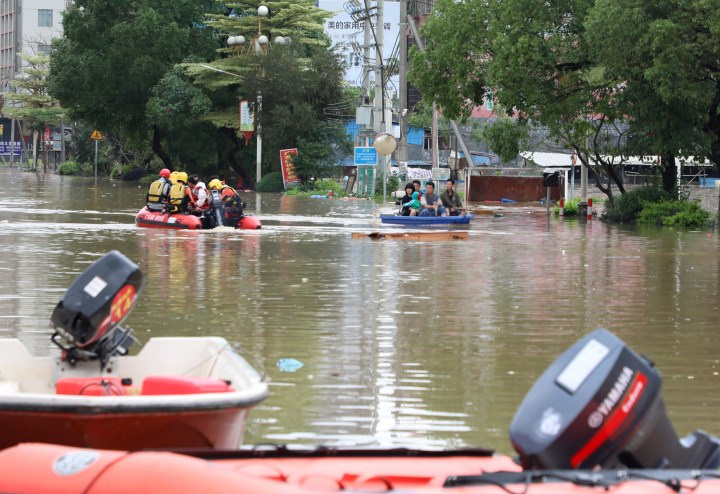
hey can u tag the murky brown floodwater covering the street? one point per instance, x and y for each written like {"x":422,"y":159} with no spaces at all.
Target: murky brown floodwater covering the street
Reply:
{"x":402,"y":343}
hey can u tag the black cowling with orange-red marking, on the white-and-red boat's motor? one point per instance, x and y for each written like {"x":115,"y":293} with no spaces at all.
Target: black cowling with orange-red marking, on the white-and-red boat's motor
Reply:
{"x":99,"y":300}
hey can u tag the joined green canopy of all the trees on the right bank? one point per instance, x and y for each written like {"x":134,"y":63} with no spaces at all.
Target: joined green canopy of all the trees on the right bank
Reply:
{"x":600,"y":86}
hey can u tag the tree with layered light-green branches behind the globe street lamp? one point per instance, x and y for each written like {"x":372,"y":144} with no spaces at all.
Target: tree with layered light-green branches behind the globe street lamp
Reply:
{"x":298,"y":82}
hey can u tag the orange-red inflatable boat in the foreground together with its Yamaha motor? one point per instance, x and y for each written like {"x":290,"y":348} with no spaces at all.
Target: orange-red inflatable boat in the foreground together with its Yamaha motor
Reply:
{"x":594,"y":421}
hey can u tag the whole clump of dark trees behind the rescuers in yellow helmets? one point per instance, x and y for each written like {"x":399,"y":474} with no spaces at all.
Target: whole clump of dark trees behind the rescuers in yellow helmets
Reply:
{"x":162,"y":85}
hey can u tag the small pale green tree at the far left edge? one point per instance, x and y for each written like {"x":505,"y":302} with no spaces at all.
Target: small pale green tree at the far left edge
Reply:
{"x":29,"y":100}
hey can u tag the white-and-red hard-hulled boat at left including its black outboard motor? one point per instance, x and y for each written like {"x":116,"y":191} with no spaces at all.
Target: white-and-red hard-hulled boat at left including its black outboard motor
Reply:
{"x":176,"y":392}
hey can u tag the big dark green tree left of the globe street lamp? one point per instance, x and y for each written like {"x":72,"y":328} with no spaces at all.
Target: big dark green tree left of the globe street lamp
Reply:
{"x":112,"y":55}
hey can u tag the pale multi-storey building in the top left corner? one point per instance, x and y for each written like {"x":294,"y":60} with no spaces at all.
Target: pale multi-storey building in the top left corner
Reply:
{"x":27,"y":26}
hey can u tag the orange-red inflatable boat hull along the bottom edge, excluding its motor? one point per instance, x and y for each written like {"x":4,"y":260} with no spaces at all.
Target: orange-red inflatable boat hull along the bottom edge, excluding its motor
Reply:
{"x":42,"y":468}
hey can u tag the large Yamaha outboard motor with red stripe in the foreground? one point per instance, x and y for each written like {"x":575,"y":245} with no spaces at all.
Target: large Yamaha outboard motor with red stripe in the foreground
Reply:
{"x":599,"y":404}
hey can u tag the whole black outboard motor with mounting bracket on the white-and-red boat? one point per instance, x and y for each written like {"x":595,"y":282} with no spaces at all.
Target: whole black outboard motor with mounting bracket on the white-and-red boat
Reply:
{"x":87,"y":318}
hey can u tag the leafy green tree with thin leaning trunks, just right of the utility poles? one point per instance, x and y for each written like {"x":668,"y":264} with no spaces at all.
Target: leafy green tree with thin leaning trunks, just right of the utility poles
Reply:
{"x":535,"y":59}
